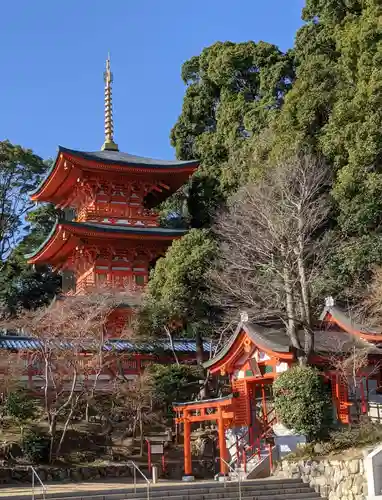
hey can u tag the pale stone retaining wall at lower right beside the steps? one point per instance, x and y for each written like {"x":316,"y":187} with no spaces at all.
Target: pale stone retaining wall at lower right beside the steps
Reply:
{"x":333,"y":479}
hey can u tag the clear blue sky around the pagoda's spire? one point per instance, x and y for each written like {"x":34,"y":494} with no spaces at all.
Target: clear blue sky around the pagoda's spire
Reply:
{"x":53,"y":54}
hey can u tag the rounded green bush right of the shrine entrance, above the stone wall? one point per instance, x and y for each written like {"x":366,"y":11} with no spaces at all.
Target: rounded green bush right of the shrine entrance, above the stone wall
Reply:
{"x":302,"y":401}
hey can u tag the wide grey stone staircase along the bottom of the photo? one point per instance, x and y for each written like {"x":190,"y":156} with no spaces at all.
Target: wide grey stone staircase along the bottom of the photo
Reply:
{"x":266,"y":489}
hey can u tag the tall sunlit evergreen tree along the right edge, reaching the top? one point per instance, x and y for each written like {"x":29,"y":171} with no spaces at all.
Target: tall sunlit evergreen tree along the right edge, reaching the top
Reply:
{"x":334,"y":109}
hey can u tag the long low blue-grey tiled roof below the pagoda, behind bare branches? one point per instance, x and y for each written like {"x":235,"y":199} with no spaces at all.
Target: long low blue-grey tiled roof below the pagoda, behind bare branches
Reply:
{"x":15,"y":342}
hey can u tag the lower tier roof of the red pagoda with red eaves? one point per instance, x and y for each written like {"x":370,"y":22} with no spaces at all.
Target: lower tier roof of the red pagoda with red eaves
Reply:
{"x":66,"y":235}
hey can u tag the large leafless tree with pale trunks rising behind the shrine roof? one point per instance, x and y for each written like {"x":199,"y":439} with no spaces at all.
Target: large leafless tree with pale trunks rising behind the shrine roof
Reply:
{"x":269,"y":250}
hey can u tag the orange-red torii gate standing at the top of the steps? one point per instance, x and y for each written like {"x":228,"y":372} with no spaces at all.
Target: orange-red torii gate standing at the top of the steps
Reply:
{"x":218,"y":410}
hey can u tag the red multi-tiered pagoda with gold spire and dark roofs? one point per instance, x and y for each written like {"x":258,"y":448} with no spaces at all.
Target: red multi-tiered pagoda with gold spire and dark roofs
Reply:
{"x":114,"y":238}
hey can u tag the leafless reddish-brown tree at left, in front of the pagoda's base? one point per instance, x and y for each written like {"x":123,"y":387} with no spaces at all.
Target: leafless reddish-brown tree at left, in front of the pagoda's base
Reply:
{"x":70,"y":335}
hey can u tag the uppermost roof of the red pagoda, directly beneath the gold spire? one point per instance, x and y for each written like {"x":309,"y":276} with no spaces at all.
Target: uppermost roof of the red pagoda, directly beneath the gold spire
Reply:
{"x":71,"y":164}
